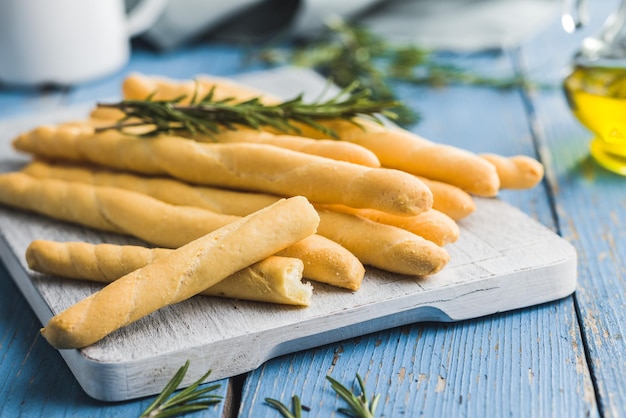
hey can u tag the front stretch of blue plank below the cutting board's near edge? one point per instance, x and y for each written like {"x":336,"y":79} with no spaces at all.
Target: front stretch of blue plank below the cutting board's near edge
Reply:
{"x":517,"y":364}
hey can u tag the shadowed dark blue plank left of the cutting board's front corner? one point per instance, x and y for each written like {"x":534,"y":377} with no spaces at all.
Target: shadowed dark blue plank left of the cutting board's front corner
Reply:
{"x":35,"y":379}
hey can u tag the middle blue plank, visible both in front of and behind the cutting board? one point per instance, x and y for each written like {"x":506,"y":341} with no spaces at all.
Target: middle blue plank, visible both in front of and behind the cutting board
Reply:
{"x":525,"y":363}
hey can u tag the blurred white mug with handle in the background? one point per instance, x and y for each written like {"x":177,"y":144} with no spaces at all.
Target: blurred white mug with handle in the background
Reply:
{"x":66,"y":42}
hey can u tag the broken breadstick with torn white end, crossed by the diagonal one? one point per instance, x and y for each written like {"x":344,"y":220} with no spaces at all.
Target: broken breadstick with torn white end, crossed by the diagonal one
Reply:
{"x":273,"y":280}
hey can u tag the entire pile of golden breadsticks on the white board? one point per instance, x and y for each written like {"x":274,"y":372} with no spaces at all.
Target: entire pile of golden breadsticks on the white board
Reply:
{"x":244,"y":214}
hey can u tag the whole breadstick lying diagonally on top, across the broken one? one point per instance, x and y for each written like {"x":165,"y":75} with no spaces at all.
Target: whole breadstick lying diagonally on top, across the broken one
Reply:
{"x":182,"y":274}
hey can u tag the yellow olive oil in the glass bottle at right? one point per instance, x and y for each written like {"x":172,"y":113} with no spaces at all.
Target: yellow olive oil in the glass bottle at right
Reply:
{"x":597,"y":97}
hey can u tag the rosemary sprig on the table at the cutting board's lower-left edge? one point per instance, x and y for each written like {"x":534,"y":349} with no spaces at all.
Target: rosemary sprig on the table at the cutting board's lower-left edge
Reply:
{"x":191,"y":399}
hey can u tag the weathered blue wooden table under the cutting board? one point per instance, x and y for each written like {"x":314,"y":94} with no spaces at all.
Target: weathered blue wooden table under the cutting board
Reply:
{"x":562,"y":359}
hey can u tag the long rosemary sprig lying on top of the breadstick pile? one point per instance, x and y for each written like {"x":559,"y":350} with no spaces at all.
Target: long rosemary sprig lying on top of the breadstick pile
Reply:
{"x":207,"y":116}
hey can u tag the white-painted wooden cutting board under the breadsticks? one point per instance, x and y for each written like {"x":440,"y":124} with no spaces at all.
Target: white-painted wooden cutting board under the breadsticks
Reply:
{"x":503,"y":260}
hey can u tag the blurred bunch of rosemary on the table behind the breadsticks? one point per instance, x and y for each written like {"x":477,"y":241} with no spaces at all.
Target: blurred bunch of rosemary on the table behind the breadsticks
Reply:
{"x":347,"y":52}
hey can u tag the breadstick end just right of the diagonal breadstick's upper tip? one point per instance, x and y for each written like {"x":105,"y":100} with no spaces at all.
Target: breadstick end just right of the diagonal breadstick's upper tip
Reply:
{"x":383,"y":246}
